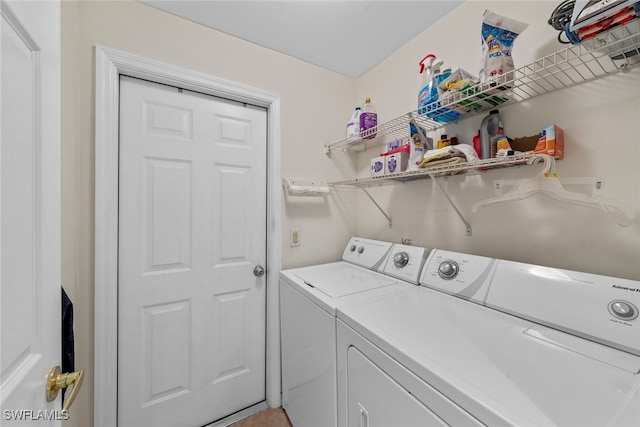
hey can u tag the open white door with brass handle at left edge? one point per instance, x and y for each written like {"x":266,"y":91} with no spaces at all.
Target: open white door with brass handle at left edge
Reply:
{"x":30,"y":210}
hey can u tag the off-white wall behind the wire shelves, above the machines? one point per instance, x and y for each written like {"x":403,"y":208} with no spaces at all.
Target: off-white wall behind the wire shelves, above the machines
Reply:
{"x":601,"y":121}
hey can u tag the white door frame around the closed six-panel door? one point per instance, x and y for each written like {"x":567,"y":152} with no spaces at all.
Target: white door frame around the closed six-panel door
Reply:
{"x":109,"y":65}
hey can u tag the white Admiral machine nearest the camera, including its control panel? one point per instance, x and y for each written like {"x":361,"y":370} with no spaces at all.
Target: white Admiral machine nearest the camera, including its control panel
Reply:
{"x":492,"y":342}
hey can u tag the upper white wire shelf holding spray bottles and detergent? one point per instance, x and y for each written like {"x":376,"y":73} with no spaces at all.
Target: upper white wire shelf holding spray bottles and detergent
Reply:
{"x":606,"y":53}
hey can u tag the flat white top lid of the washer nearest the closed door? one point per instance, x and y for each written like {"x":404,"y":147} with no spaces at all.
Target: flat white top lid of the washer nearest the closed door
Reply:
{"x":344,"y":279}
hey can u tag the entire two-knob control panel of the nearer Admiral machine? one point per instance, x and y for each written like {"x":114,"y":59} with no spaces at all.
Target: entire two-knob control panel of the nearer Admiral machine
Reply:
{"x":595,"y":307}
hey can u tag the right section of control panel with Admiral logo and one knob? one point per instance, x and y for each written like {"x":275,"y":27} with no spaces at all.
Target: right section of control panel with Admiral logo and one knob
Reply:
{"x":595,"y":307}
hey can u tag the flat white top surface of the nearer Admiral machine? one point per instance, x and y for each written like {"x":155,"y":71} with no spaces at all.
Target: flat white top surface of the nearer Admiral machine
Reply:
{"x":490,"y":364}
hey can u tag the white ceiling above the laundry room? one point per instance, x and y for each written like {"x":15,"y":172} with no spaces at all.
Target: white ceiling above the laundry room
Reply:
{"x":349,"y":37}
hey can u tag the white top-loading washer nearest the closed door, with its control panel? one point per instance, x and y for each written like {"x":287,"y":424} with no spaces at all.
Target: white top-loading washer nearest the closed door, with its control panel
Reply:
{"x":309,"y":297}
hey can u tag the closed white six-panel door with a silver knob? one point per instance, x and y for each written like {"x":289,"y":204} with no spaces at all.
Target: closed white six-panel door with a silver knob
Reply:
{"x":192,"y":246}
